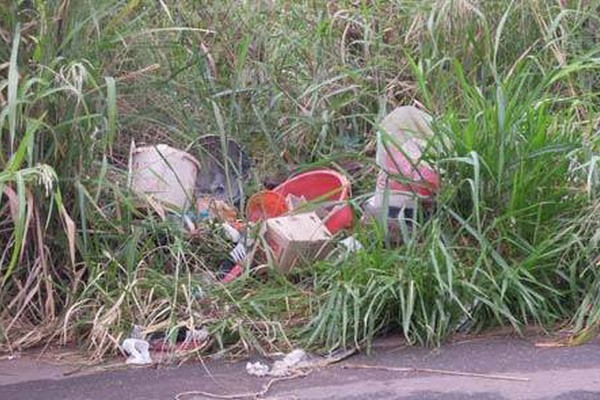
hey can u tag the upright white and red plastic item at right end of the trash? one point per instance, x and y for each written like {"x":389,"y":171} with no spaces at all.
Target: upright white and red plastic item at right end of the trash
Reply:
{"x":404,"y":174}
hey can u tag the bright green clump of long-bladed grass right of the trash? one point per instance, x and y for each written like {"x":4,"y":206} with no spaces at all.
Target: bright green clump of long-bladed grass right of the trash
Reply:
{"x":506,"y":241}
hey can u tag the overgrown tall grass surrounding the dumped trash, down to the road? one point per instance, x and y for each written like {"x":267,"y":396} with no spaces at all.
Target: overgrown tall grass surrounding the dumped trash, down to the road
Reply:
{"x":514,"y":88}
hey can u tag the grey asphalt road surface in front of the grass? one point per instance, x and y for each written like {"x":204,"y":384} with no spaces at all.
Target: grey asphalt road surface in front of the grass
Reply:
{"x":539,"y":373}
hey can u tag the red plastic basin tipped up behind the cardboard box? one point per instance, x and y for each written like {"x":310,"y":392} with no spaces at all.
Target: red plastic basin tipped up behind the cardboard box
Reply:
{"x":322,"y":185}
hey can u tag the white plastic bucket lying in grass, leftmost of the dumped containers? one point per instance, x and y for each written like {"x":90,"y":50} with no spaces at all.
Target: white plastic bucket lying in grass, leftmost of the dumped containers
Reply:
{"x":164,"y":173}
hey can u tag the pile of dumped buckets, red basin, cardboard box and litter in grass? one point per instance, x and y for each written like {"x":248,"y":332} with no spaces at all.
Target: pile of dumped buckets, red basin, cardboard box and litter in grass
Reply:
{"x":296,"y":222}
